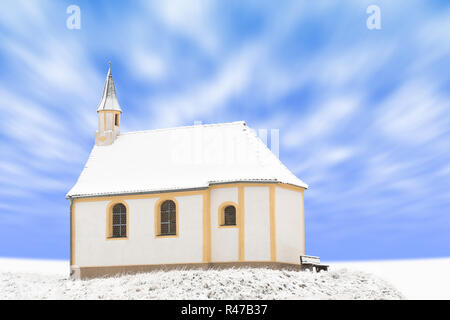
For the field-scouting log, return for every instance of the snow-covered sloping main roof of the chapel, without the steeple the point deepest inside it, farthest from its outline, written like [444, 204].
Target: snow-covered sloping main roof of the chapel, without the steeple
[178, 159]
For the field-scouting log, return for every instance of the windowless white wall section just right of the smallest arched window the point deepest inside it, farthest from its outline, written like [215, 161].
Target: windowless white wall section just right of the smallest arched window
[257, 223]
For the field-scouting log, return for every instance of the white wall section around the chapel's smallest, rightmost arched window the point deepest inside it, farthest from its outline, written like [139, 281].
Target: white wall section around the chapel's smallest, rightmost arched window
[224, 241]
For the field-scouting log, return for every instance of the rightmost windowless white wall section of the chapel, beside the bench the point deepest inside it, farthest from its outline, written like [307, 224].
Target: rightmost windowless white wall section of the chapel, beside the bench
[289, 225]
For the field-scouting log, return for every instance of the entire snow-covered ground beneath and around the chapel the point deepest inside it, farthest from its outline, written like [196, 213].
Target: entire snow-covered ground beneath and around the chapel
[415, 279]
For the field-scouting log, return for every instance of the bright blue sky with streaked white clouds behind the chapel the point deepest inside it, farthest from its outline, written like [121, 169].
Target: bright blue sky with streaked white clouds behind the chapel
[364, 115]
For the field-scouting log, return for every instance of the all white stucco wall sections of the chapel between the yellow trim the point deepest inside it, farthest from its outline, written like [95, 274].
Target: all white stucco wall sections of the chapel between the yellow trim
[92, 248]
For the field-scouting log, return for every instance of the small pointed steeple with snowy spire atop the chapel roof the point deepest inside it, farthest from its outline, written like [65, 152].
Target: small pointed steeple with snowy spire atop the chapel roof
[109, 112]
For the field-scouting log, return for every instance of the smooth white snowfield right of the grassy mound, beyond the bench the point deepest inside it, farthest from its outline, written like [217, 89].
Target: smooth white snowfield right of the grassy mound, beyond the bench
[415, 278]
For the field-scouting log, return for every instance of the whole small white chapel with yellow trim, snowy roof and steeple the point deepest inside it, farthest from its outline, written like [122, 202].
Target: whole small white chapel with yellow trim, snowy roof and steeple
[210, 195]
